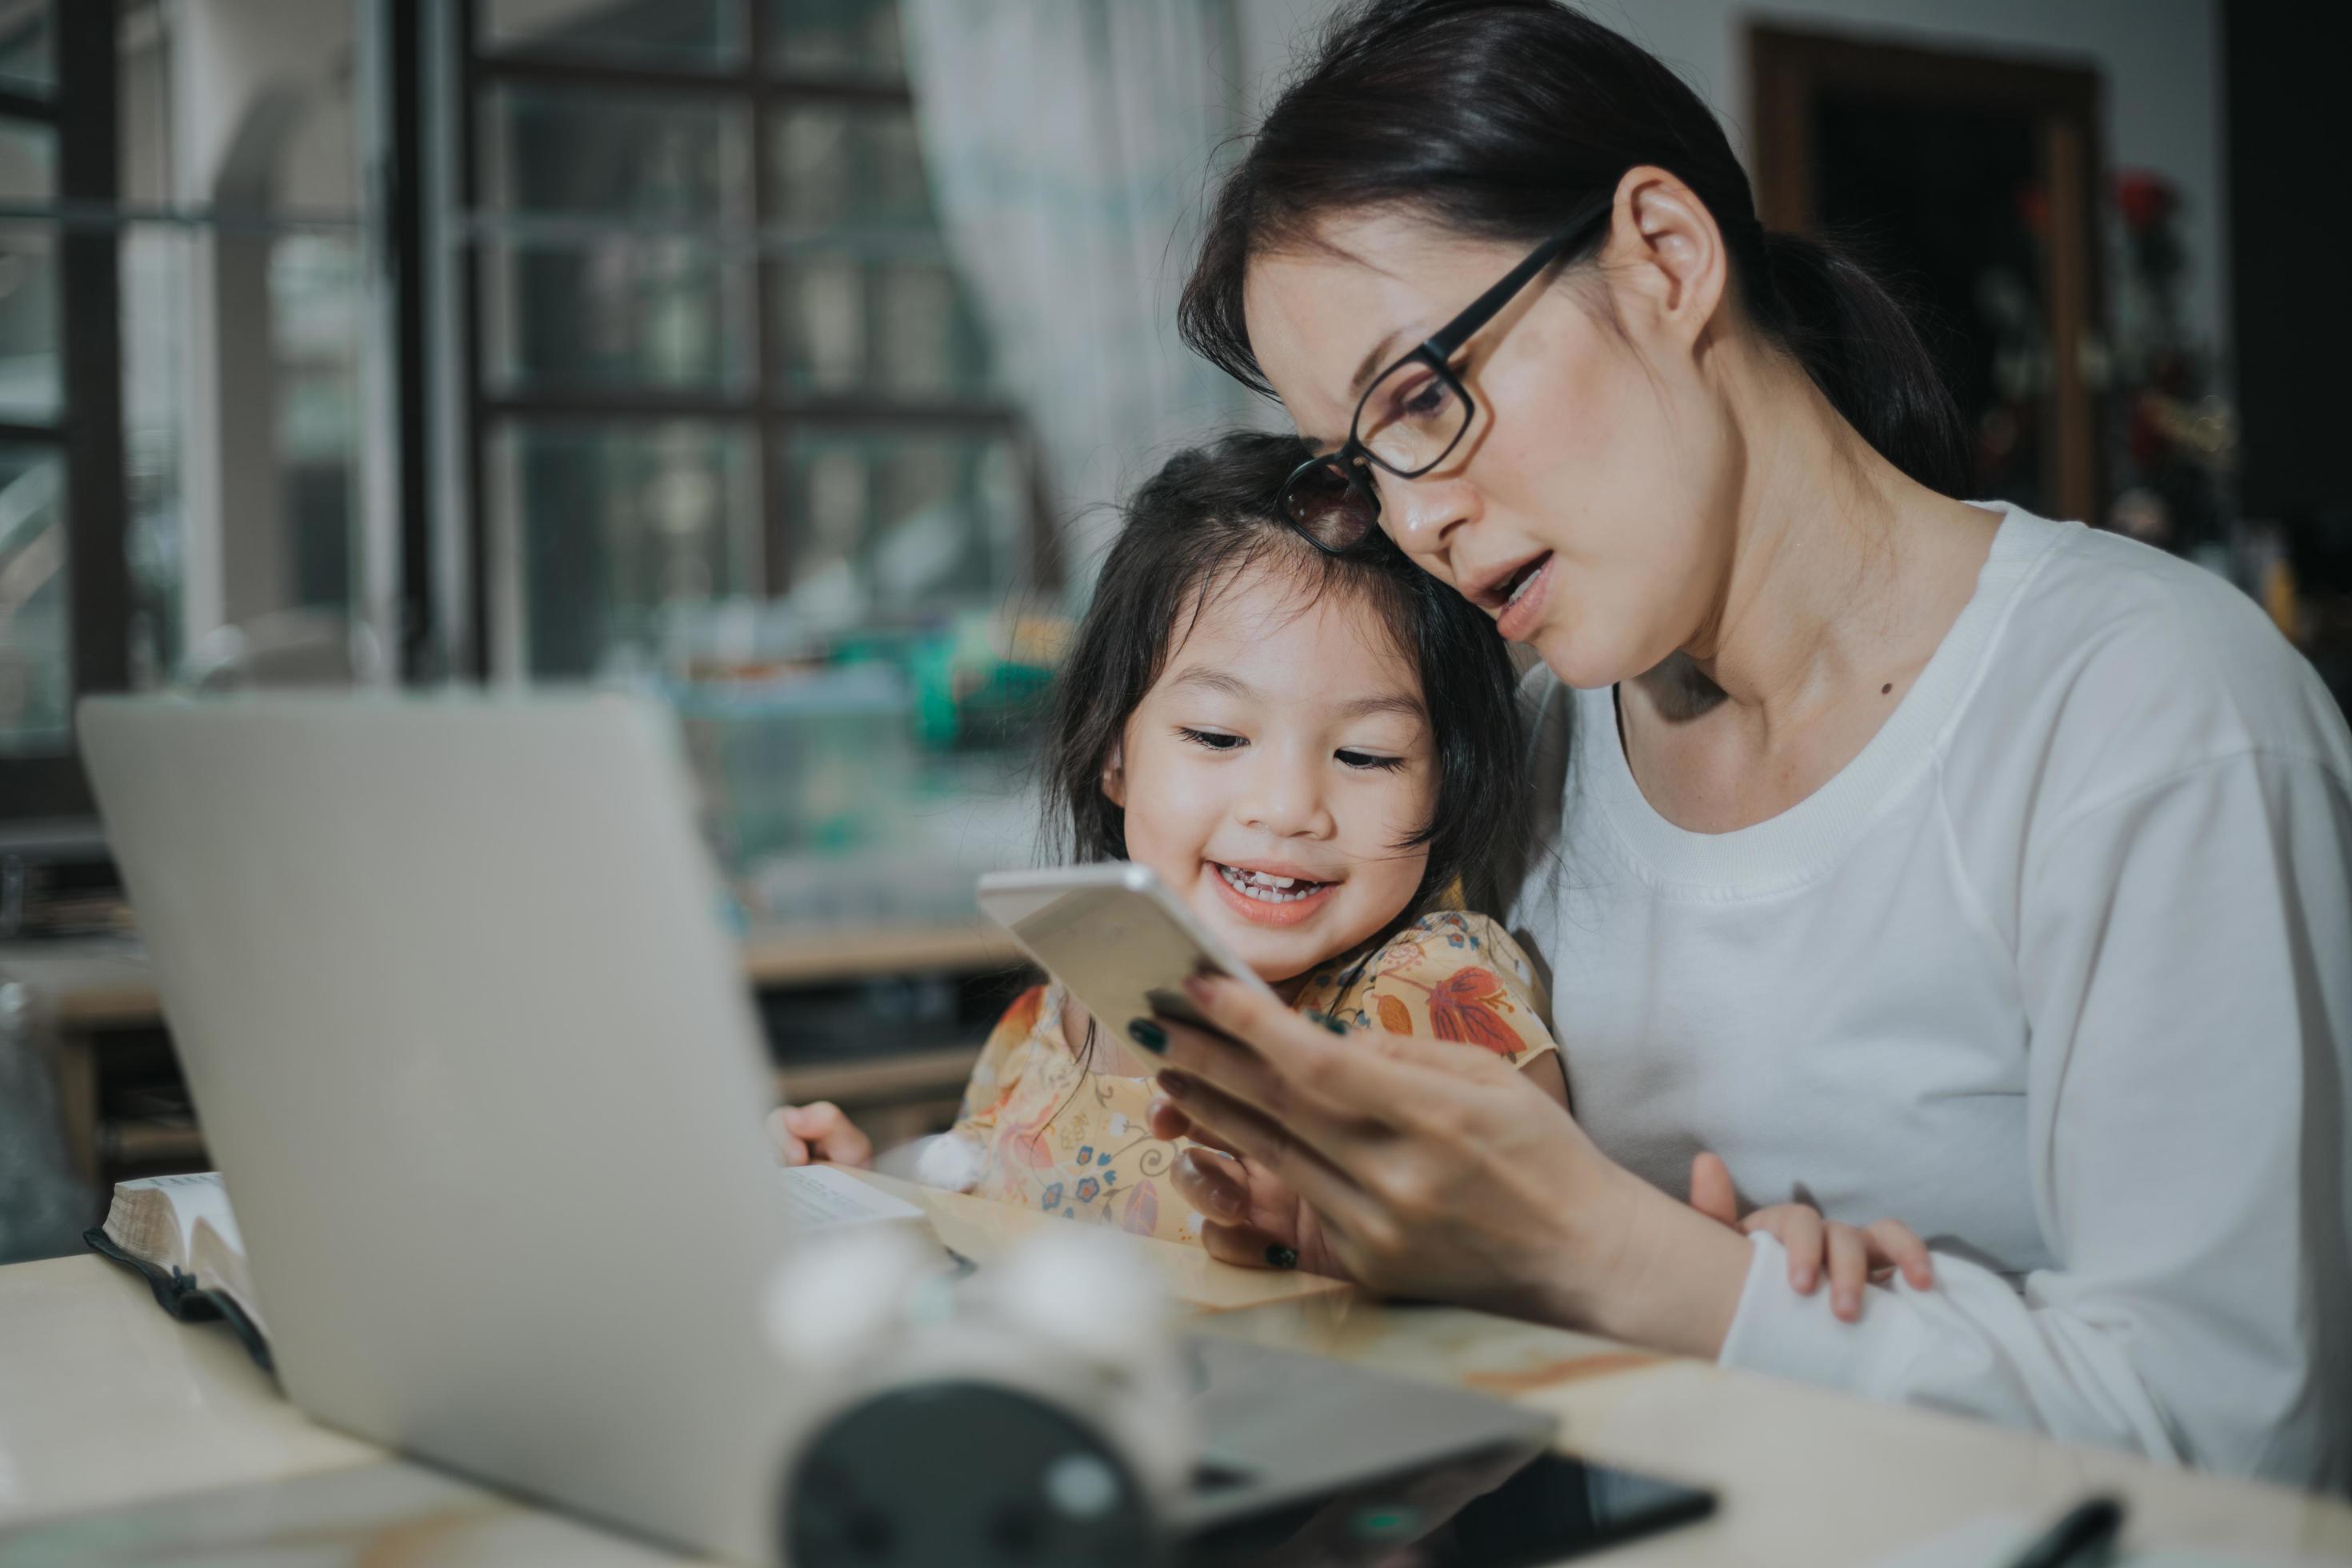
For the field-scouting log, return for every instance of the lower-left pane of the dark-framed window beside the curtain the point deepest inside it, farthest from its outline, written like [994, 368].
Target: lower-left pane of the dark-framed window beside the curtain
[617, 525]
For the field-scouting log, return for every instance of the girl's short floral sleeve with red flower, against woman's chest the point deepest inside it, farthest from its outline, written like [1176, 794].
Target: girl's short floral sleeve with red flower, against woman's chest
[1455, 977]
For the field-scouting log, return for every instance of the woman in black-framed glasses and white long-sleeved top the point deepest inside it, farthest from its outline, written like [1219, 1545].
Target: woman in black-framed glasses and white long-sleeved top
[1925, 859]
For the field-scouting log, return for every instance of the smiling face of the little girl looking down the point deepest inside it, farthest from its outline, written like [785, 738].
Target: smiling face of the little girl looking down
[1276, 768]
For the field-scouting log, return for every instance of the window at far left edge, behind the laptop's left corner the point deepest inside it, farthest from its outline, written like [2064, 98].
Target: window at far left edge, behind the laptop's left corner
[185, 311]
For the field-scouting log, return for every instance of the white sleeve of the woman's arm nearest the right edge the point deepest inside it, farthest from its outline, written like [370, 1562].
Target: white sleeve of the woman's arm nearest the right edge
[2186, 970]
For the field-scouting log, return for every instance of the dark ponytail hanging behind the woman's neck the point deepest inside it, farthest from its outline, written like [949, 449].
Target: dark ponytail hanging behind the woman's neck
[1864, 354]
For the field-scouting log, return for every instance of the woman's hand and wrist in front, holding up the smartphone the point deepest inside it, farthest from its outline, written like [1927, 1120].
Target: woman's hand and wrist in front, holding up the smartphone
[1438, 1170]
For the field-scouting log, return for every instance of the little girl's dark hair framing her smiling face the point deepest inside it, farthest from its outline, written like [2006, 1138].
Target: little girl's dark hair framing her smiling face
[1194, 528]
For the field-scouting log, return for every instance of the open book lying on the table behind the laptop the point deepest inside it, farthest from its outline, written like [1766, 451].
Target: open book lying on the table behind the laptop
[182, 1238]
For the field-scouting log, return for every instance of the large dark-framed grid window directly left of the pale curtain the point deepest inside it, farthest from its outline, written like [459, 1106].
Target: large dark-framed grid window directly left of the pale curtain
[716, 344]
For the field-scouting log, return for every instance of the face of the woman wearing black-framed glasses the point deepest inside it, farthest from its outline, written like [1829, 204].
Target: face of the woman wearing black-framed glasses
[1598, 476]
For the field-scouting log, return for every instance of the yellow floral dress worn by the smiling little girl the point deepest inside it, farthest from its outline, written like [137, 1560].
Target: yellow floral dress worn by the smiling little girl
[1048, 1134]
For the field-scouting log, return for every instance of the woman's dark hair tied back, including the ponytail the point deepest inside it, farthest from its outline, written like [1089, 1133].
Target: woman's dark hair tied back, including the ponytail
[1495, 119]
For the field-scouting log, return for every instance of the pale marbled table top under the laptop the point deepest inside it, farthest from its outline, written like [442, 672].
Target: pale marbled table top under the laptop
[121, 1428]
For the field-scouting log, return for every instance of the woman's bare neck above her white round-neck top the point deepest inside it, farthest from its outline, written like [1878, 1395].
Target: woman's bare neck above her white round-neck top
[1838, 584]
